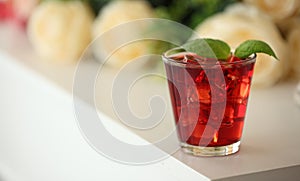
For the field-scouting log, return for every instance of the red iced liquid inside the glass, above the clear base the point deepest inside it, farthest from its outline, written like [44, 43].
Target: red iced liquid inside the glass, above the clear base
[196, 101]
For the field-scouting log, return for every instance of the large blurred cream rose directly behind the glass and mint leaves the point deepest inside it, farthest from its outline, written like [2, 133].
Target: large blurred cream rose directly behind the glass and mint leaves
[235, 26]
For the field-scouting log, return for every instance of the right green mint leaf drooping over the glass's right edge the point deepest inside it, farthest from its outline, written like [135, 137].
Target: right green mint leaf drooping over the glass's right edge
[249, 47]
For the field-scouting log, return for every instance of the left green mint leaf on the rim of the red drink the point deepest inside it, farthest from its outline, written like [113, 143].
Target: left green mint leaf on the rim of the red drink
[209, 48]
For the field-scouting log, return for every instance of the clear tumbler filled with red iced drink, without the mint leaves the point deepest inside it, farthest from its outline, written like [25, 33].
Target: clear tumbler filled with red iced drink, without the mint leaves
[209, 99]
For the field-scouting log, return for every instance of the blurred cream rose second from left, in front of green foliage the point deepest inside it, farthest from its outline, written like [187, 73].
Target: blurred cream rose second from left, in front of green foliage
[112, 15]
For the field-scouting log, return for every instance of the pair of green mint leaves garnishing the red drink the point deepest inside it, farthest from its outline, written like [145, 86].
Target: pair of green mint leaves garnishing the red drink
[213, 48]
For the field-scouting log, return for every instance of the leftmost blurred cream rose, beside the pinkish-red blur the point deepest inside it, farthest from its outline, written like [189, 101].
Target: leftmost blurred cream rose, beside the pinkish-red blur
[60, 31]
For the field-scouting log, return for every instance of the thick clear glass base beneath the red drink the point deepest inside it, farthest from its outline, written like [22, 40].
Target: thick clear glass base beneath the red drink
[211, 151]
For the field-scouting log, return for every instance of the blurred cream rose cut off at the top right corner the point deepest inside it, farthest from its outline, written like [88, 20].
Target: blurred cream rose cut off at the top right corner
[277, 9]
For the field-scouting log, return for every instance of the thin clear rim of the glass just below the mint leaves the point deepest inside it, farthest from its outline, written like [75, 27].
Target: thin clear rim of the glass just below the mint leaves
[167, 58]
